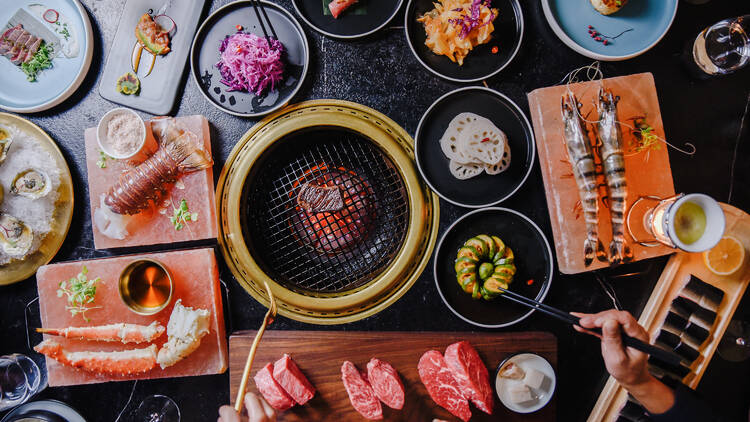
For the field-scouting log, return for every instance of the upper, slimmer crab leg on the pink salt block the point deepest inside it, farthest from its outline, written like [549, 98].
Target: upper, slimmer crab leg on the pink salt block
[120, 332]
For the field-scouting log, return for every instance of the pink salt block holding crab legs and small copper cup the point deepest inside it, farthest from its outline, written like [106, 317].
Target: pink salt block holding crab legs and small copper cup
[196, 281]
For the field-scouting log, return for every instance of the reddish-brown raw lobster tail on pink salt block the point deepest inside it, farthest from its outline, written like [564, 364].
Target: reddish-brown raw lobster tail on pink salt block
[180, 151]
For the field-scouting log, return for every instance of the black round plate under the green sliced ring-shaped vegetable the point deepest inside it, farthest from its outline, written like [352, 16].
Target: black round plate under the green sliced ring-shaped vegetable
[533, 259]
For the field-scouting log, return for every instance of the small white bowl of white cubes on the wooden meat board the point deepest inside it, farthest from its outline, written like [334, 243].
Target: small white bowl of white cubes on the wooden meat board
[543, 395]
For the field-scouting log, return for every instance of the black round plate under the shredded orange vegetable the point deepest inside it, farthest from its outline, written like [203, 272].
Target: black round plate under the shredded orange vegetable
[480, 63]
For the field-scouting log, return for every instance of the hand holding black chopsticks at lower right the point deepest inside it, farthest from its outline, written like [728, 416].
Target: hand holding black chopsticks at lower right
[627, 365]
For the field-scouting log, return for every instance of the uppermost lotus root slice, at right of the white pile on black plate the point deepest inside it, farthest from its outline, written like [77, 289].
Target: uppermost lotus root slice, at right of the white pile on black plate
[483, 141]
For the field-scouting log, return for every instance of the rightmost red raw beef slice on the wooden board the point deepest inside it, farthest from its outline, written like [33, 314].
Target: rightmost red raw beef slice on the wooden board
[470, 374]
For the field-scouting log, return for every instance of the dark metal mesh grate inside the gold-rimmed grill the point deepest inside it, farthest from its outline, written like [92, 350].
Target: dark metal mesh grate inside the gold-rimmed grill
[287, 253]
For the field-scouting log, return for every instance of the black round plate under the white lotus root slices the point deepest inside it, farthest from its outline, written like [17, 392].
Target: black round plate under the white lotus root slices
[482, 190]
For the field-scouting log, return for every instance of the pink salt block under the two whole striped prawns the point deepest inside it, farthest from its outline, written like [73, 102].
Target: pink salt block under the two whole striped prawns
[646, 173]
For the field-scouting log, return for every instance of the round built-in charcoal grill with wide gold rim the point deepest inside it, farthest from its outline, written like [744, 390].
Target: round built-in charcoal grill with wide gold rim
[340, 264]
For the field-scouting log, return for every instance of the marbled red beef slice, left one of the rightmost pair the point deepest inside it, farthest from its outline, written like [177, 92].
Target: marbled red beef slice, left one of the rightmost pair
[442, 387]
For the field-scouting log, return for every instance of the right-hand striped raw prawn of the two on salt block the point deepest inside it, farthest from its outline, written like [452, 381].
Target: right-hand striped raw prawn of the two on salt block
[613, 163]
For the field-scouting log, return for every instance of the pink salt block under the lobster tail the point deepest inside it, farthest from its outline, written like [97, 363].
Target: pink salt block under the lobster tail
[152, 226]
